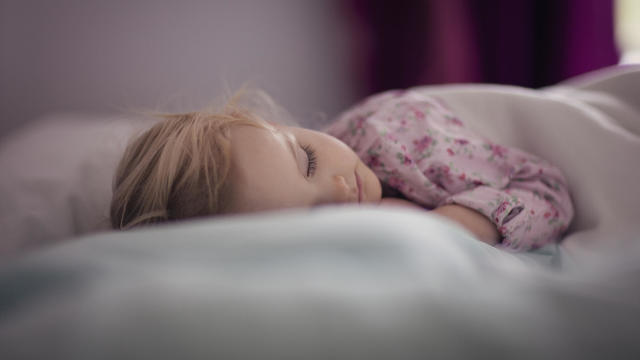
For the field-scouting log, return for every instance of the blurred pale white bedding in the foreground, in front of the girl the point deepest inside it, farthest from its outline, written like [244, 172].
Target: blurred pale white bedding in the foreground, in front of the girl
[338, 283]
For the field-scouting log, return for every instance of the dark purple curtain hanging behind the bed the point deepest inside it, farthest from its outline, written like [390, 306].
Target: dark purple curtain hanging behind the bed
[530, 43]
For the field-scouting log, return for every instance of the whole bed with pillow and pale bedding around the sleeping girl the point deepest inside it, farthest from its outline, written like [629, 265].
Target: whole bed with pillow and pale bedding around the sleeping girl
[335, 282]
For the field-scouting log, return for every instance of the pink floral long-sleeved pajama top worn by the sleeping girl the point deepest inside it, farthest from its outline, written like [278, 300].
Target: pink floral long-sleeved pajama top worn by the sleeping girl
[421, 151]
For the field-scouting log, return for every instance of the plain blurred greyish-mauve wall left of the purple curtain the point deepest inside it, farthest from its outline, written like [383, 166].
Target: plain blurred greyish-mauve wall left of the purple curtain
[104, 56]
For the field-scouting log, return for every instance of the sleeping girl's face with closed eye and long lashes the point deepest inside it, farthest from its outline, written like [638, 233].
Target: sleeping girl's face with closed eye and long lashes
[285, 167]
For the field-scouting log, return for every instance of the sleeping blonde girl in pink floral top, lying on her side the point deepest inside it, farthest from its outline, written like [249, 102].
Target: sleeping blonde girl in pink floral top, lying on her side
[397, 148]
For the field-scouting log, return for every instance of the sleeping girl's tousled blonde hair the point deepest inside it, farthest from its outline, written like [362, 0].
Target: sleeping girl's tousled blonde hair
[179, 168]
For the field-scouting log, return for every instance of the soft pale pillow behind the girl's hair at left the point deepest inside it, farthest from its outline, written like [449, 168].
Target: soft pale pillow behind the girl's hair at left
[56, 178]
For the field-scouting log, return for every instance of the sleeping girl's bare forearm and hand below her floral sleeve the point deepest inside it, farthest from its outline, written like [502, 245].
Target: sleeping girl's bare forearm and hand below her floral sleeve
[473, 221]
